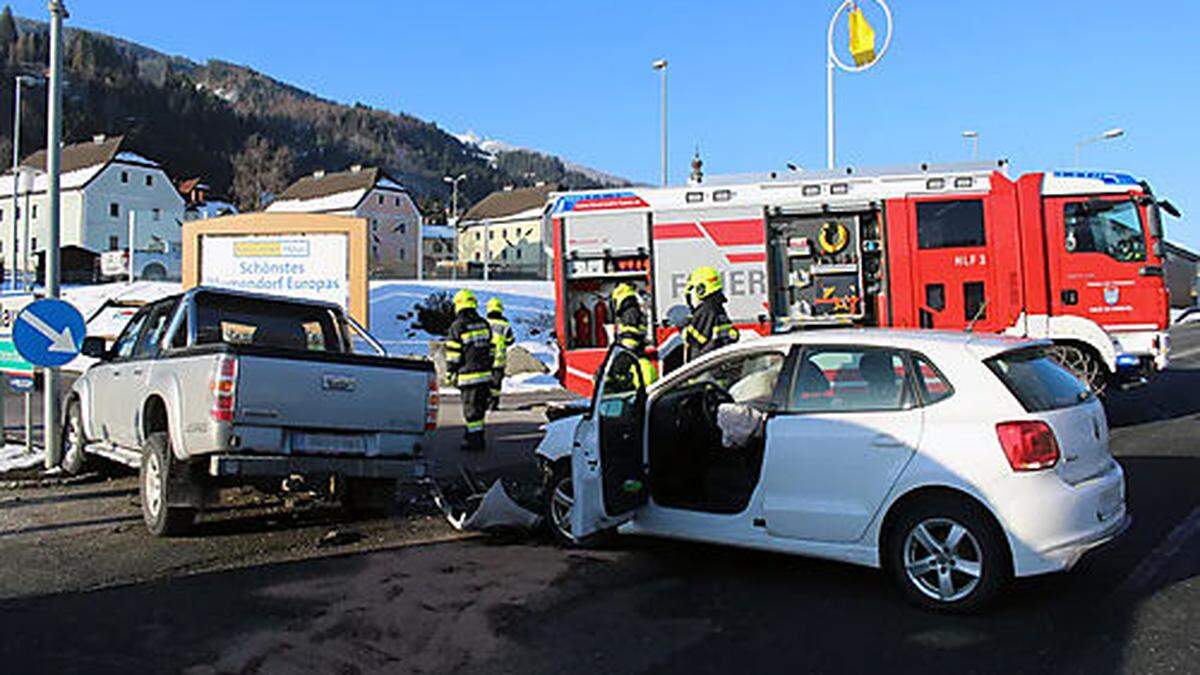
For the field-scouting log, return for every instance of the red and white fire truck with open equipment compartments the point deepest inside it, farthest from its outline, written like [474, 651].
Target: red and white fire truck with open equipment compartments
[1071, 256]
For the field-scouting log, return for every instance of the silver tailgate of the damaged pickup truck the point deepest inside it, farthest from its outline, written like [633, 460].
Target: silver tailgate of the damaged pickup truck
[343, 393]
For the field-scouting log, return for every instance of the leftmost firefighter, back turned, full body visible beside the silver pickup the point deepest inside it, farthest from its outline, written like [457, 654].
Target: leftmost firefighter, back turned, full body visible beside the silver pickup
[470, 359]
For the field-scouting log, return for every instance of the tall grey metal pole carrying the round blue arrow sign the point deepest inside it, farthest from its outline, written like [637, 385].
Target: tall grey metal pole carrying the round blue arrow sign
[53, 158]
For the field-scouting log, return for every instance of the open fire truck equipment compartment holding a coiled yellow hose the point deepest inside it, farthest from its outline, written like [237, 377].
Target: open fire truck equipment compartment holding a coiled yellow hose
[825, 270]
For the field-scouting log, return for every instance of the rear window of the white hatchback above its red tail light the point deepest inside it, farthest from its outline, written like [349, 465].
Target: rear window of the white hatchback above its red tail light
[1039, 381]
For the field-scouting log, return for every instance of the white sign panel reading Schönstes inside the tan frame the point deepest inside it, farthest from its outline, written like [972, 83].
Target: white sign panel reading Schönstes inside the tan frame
[299, 266]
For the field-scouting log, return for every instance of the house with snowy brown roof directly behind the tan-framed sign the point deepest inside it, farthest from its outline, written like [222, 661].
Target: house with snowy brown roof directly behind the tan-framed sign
[369, 194]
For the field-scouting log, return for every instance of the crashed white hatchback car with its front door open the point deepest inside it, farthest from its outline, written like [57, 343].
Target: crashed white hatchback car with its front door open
[955, 462]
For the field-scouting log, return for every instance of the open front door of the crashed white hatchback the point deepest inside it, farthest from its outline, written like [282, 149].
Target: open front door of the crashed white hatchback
[608, 463]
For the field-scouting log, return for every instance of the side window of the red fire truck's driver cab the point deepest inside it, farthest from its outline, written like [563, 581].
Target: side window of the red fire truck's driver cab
[1113, 229]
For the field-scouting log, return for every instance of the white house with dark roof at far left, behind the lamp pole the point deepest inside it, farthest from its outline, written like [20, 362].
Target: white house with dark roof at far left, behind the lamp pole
[101, 184]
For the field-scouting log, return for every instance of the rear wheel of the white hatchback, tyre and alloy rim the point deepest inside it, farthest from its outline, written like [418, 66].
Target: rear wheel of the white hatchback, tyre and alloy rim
[947, 554]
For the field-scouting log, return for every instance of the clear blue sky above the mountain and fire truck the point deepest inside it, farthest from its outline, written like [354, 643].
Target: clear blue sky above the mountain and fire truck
[747, 80]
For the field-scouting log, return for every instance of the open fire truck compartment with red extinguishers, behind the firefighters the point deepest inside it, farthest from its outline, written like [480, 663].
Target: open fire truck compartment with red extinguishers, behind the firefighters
[604, 250]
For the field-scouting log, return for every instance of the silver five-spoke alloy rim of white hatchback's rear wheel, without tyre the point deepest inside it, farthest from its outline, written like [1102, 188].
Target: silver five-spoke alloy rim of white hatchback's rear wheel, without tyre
[943, 559]
